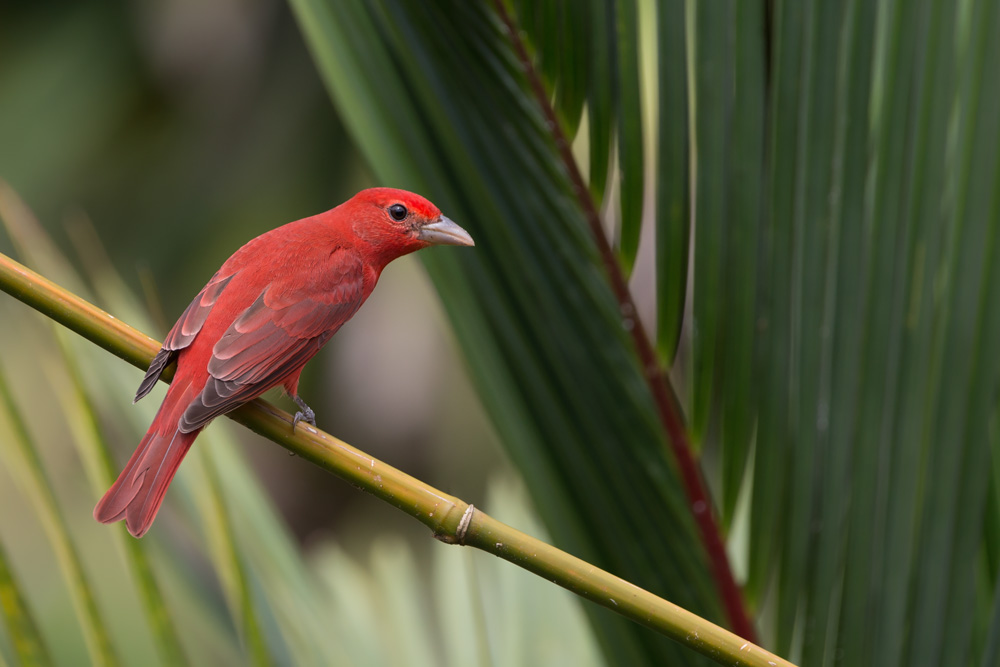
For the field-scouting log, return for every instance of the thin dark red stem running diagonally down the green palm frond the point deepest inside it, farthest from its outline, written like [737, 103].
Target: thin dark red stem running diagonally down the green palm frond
[667, 406]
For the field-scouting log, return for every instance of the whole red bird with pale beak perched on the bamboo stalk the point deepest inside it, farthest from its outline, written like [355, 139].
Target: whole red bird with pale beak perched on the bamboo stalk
[262, 316]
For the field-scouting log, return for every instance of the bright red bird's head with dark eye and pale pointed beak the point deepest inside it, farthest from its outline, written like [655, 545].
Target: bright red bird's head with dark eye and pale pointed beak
[396, 222]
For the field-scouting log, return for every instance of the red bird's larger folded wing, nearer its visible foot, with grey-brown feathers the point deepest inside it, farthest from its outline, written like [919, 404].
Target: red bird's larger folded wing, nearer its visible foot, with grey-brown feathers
[284, 327]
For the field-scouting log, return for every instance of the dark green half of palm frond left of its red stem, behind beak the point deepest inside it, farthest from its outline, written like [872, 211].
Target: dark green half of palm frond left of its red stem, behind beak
[531, 307]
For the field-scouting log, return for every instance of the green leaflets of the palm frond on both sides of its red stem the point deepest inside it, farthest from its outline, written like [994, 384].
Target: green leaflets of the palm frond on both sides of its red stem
[839, 162]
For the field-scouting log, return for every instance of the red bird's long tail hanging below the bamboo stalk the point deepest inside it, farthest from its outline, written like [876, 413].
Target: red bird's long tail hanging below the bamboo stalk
[138, 492]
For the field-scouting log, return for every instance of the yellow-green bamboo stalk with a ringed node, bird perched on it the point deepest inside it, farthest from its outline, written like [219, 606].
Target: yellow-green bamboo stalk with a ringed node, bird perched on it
[452, 520]
